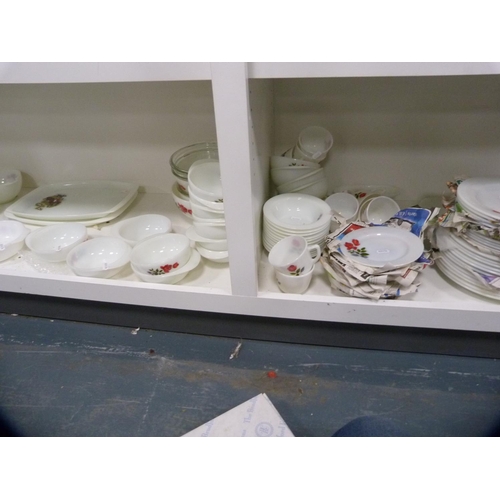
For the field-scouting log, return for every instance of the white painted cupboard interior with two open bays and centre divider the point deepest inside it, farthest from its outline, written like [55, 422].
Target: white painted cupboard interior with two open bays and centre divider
[411, 125]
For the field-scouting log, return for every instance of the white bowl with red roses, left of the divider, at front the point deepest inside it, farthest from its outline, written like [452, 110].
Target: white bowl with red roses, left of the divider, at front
[161, 254]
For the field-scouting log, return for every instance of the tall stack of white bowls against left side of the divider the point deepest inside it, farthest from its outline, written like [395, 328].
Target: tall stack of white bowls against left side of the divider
[207, 205]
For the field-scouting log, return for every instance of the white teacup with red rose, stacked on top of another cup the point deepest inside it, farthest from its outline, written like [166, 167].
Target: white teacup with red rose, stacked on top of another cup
[292, 256]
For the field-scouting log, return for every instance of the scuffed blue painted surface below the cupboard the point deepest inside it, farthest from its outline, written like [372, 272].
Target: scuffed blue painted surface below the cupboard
[62, 378]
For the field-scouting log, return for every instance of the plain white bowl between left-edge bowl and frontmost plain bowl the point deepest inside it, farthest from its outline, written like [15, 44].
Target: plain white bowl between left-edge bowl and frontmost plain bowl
[53, 243]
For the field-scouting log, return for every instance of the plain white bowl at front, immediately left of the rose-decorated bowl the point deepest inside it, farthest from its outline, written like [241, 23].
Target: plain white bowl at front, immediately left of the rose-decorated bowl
[100, 257]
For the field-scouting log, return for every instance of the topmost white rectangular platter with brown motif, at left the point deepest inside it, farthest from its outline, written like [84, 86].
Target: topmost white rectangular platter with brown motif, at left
[74, 201]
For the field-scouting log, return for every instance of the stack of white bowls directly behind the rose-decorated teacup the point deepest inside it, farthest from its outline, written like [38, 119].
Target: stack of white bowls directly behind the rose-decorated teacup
[295, 214]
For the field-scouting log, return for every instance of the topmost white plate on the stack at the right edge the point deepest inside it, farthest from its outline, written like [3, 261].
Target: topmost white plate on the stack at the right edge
[482, 195]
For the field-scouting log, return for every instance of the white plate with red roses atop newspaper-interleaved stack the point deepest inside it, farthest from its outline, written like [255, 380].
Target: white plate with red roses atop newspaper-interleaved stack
[381, 246]
